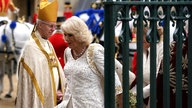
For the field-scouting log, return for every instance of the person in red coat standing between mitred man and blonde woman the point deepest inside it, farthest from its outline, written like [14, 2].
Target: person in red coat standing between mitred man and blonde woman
[58, 41]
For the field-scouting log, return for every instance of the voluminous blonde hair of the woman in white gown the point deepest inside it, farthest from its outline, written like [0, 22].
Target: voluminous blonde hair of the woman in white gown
[76, 26]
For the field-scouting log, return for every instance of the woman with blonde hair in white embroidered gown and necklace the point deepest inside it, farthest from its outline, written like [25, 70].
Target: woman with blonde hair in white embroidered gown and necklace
[85, 87]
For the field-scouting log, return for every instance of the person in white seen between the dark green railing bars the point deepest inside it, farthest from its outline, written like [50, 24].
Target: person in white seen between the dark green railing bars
[146, 62]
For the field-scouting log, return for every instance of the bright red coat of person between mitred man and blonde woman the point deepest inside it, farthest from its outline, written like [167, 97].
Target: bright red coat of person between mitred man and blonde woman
[59, 45]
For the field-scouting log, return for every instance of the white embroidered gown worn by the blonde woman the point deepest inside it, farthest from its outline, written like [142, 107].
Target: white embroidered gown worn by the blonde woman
[84, 85]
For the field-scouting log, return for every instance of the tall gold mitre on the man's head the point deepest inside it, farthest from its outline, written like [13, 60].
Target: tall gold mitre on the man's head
[48, 10]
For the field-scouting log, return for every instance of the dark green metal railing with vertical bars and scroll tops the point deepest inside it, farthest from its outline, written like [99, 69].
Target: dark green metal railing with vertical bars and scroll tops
[175, 11]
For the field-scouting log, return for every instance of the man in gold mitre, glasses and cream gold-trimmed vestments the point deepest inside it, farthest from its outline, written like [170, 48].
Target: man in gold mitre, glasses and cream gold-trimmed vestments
[40, 75]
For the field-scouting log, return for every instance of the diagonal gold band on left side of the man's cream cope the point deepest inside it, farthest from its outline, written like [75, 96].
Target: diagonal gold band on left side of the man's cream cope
[32, 76]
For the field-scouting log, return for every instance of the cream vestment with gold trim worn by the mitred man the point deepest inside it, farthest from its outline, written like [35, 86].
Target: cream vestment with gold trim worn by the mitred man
[39, 75]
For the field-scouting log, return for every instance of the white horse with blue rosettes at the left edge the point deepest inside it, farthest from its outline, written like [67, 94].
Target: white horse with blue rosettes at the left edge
[11, 44]
